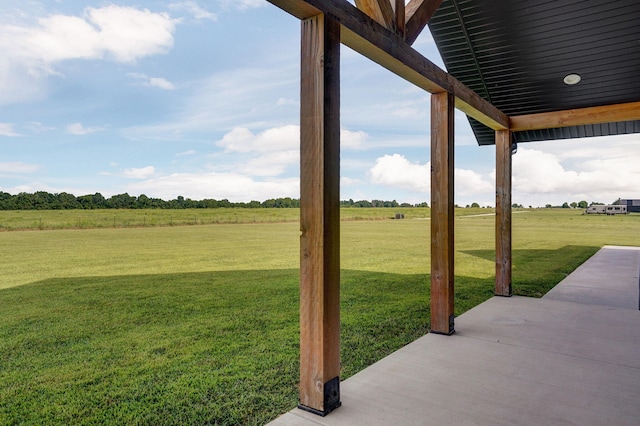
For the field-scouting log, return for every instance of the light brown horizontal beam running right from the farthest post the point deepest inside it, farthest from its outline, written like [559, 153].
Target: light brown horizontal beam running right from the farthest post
[577, 117]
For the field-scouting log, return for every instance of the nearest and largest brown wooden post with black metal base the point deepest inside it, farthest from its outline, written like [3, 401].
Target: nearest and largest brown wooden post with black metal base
[320, 215]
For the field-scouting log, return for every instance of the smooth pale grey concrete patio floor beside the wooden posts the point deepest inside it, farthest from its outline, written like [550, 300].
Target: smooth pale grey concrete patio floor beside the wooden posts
[512, 361]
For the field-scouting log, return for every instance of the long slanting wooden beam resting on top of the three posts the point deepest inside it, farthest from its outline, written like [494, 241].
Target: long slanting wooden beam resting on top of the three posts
[364, 35]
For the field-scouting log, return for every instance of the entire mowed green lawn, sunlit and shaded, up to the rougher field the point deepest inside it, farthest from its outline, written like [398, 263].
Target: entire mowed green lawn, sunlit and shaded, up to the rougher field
[199, 324]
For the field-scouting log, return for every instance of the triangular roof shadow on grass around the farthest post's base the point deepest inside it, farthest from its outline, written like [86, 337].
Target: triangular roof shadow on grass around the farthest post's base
[535, 272]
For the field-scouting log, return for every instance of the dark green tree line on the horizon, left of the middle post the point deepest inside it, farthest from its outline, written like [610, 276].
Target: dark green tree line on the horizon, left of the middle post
[42, 200]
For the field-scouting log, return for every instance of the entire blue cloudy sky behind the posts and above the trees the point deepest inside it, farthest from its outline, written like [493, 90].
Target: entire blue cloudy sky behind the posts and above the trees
[201, 99]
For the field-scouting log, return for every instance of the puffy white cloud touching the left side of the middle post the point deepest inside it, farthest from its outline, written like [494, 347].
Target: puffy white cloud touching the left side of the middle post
[398, 172]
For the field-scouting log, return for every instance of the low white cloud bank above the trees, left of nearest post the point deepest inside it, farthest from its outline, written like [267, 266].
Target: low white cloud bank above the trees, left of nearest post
[232, 186]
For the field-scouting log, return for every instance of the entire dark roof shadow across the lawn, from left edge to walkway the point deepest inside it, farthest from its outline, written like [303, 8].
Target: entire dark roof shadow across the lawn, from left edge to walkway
[209, 347]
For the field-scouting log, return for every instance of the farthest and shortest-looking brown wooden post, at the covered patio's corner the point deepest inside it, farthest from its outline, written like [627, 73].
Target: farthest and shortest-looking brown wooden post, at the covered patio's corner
[503, 213]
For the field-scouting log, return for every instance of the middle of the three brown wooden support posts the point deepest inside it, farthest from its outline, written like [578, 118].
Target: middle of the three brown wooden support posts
[442, 254]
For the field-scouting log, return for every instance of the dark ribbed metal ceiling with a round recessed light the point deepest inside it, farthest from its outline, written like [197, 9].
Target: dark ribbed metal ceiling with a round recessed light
[516, 53]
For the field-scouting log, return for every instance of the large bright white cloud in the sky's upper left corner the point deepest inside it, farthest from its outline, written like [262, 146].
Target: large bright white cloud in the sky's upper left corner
[31, 52]
